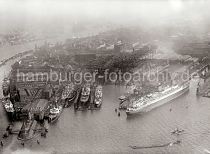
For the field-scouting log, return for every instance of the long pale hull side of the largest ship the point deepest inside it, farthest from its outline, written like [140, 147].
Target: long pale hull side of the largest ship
[159, 103]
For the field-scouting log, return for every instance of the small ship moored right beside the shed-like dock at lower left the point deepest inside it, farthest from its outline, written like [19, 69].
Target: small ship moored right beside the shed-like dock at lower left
[55, 113]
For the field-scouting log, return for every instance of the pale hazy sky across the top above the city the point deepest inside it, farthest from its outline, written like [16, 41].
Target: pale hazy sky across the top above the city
[32, 12]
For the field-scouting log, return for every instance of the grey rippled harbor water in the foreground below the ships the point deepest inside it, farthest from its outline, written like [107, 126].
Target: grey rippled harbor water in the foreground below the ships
[102, 131]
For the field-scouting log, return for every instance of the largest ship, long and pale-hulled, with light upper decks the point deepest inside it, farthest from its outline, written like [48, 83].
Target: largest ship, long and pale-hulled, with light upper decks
[146, 103]
